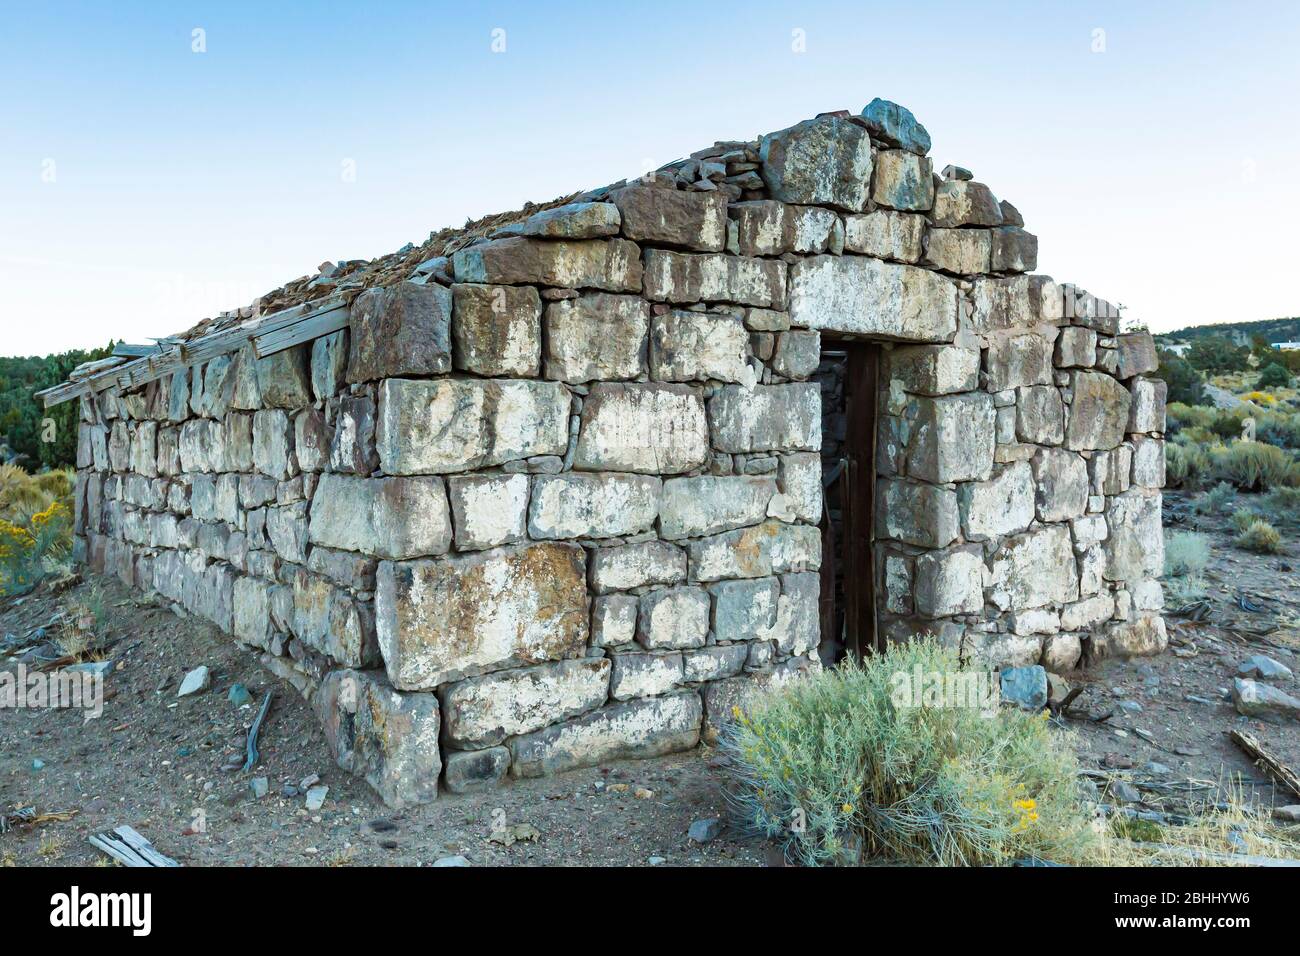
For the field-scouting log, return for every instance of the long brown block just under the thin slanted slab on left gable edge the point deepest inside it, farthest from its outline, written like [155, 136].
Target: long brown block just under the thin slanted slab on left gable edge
[609, 265]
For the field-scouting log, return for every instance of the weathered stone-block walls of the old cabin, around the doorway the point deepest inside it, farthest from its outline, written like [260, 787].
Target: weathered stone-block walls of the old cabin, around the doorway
[554, 500]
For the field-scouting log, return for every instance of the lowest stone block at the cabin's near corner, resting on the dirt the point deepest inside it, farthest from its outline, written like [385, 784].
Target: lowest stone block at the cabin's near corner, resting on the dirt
[388, 738]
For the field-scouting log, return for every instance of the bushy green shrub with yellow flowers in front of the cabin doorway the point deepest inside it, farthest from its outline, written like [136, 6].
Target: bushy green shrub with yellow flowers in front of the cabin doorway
[840, 768]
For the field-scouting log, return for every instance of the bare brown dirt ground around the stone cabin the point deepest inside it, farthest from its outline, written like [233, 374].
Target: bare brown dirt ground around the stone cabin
[158, 763]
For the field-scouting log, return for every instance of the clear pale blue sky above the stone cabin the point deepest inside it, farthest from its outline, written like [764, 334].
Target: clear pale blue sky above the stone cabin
[145, 187]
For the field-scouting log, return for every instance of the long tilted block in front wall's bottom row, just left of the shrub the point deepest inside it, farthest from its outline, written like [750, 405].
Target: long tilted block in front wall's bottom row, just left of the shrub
[636, 729]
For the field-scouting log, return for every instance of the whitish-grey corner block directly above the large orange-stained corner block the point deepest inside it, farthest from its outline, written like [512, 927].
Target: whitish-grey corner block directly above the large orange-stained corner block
[393, 518]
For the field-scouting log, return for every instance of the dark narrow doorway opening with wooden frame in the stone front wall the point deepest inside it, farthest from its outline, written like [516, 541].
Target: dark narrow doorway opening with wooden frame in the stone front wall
[848, 377]
